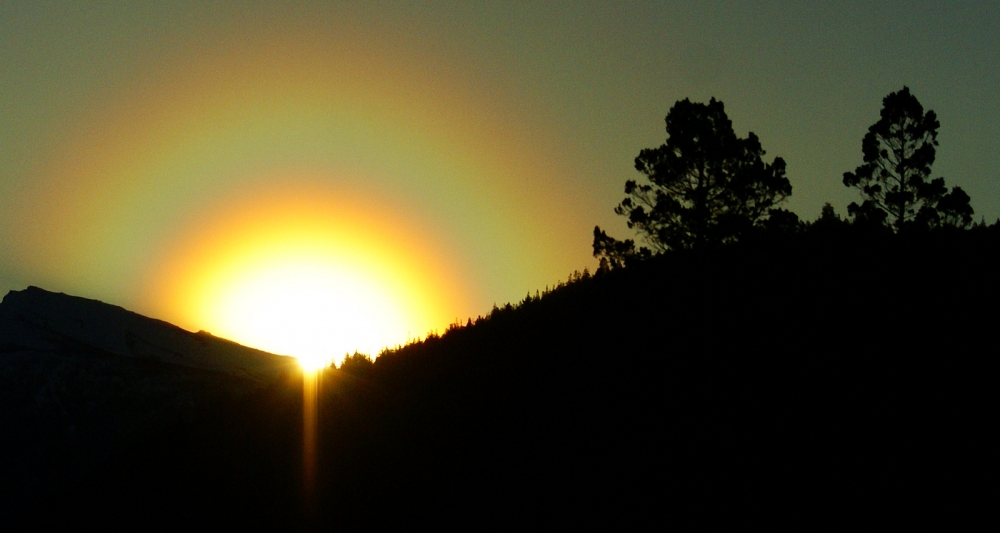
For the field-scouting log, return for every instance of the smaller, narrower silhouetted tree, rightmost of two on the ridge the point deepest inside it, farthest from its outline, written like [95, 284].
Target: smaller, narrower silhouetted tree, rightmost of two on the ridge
[894, 181]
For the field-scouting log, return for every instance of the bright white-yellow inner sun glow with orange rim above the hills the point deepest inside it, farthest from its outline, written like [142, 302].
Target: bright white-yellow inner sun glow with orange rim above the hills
[311, 275]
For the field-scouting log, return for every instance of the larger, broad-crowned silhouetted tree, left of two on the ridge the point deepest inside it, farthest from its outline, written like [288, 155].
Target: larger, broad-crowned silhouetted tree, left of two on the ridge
[705, 185]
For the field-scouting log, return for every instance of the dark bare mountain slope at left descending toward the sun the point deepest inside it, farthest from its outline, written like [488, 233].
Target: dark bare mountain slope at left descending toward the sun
[81, 381]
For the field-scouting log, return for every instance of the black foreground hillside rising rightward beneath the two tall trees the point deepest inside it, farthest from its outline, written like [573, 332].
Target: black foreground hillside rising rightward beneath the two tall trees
[793, 383]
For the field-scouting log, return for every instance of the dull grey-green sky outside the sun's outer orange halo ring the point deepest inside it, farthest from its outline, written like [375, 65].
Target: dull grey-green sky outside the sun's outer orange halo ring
[598, 77]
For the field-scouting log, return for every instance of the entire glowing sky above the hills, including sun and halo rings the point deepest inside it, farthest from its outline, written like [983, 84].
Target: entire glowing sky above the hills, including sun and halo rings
[419, 162]
